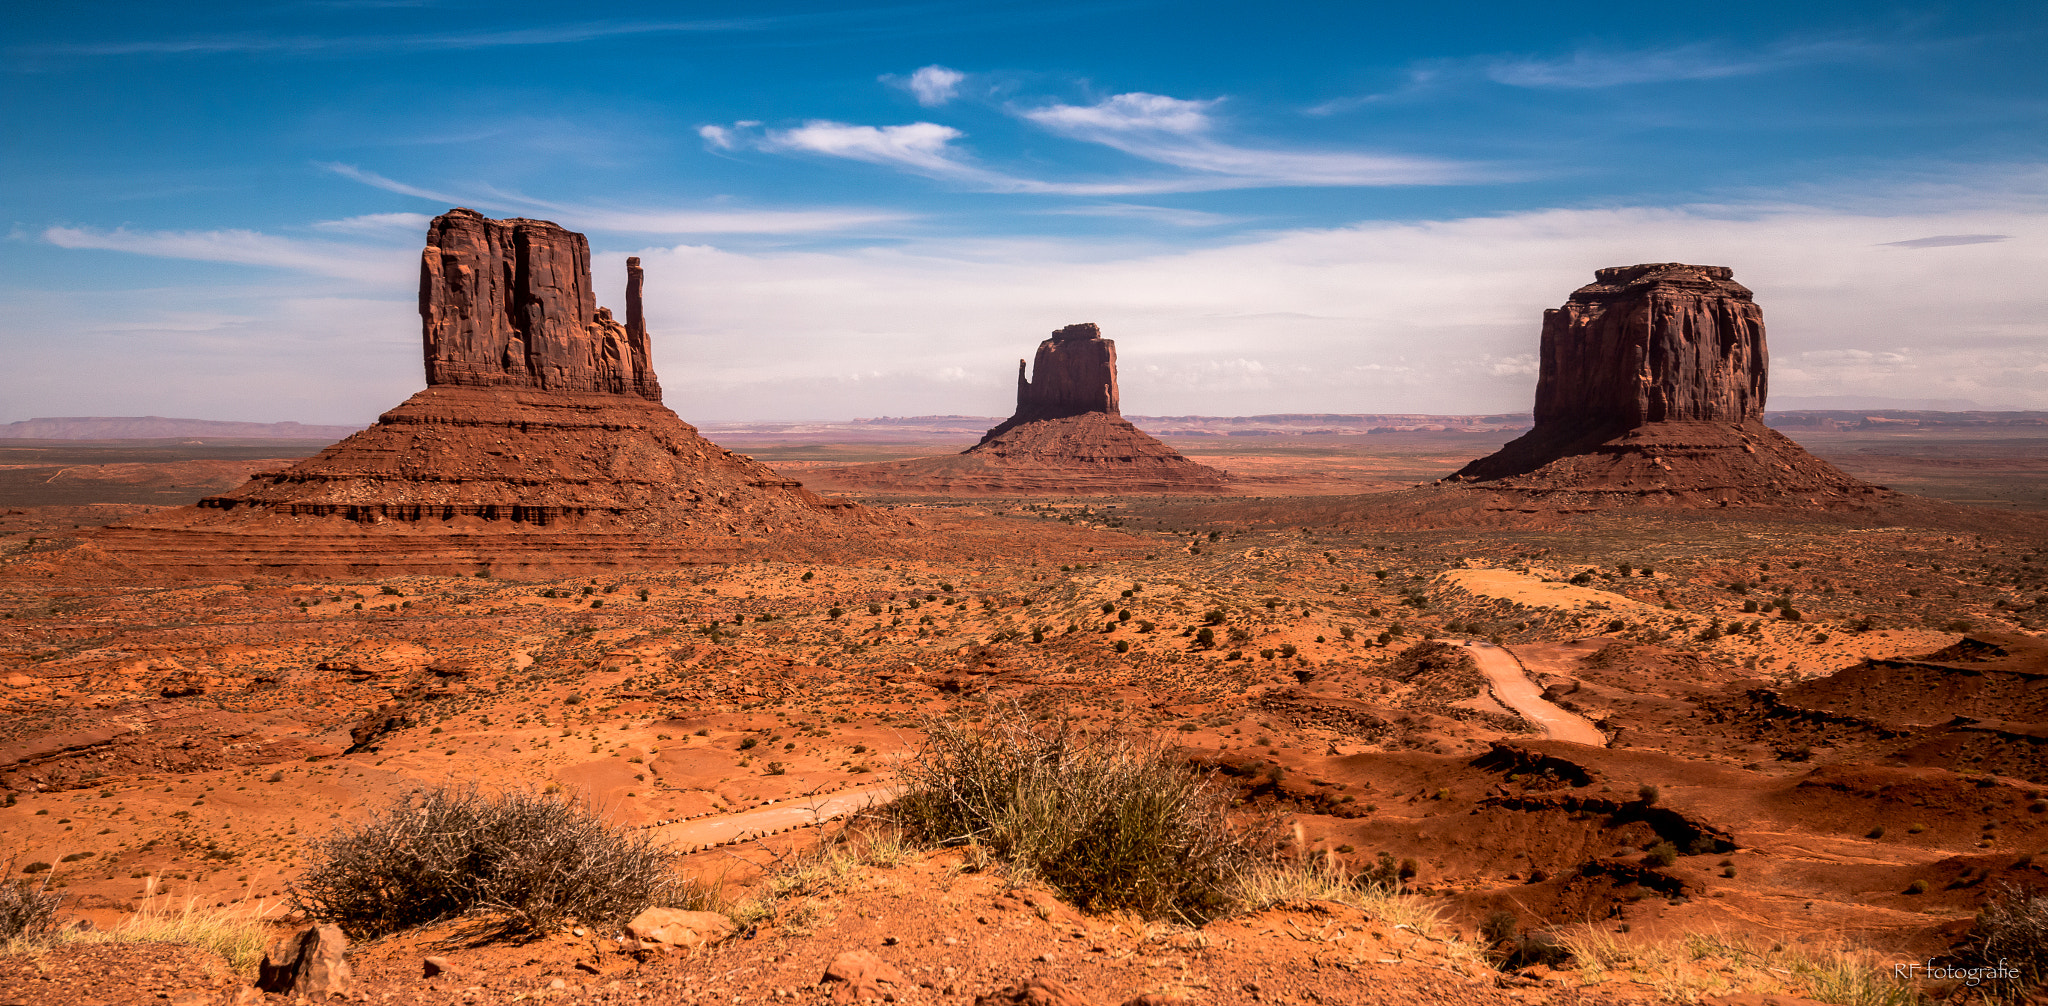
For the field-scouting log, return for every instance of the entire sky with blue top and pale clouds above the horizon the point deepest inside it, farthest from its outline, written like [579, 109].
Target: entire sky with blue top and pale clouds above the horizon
[876, 210]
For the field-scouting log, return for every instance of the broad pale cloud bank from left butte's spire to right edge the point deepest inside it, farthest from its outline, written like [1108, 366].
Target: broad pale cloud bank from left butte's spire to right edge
[1428, 317]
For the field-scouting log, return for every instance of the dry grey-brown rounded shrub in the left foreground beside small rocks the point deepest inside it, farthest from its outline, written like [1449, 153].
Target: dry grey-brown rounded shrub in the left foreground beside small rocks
[534, 862]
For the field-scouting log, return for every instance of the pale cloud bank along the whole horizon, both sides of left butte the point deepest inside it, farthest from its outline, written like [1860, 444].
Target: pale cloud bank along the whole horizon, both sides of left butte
[1422, 317]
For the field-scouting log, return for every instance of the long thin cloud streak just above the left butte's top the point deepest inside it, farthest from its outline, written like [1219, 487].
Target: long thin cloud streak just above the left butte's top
[638, 220]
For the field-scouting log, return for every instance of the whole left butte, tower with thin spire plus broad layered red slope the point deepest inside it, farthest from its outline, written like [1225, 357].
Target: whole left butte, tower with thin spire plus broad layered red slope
[540, 446]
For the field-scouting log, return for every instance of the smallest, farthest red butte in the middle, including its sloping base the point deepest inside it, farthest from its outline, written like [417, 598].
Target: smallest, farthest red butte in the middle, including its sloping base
[1066, 437]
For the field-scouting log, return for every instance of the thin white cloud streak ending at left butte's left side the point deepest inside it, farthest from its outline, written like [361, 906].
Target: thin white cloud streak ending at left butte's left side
[249, 249]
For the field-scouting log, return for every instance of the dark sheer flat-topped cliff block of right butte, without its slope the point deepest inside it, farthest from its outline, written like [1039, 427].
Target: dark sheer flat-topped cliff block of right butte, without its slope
[1654, 343]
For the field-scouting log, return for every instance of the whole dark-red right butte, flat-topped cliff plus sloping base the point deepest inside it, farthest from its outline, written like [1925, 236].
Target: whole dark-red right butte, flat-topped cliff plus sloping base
[1652, 392]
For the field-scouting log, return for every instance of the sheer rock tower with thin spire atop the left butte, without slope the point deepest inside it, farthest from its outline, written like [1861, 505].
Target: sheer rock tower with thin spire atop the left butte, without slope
[509, 304]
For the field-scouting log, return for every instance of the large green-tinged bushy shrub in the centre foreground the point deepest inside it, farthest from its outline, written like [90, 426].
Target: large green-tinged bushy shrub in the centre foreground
[1109, 821]
